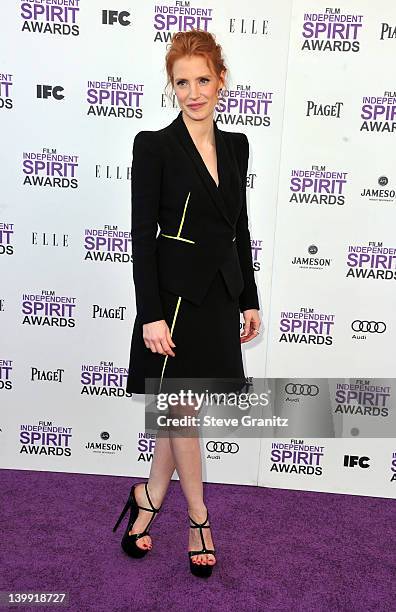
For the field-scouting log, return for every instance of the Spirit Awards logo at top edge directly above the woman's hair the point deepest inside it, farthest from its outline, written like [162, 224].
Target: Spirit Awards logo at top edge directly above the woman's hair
[180, 17]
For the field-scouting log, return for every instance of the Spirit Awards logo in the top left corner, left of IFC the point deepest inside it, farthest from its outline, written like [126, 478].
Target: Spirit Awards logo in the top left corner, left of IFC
[58, 17]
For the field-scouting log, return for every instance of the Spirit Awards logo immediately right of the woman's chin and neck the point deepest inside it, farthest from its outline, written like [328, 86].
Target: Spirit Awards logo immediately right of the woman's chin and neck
[245, 106]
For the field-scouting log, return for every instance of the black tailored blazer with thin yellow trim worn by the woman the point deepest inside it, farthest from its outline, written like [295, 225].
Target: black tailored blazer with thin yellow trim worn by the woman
[202, 227]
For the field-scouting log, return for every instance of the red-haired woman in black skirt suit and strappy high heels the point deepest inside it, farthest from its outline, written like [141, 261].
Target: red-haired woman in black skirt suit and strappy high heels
[193, 279]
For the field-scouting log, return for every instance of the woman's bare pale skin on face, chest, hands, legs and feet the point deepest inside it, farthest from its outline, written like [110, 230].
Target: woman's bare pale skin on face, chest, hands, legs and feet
[193, 82]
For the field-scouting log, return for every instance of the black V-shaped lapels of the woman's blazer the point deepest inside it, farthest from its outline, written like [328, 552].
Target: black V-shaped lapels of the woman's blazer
[220, 195]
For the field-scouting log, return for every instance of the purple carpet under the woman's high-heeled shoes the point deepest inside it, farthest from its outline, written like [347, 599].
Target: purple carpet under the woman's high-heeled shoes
[278, 550]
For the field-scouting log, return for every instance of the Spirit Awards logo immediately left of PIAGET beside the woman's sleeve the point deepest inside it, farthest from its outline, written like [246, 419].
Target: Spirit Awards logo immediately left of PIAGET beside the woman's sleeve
[48, 309]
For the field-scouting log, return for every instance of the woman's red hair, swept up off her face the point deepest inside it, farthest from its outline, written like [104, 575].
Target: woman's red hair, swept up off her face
[194, 42]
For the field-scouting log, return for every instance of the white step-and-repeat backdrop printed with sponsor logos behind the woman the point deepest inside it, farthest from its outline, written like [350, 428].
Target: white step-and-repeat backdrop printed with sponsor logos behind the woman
[312, 85]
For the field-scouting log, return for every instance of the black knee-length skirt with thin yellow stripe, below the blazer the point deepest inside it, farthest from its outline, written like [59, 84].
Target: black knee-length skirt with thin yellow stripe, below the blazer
[208, 347]
